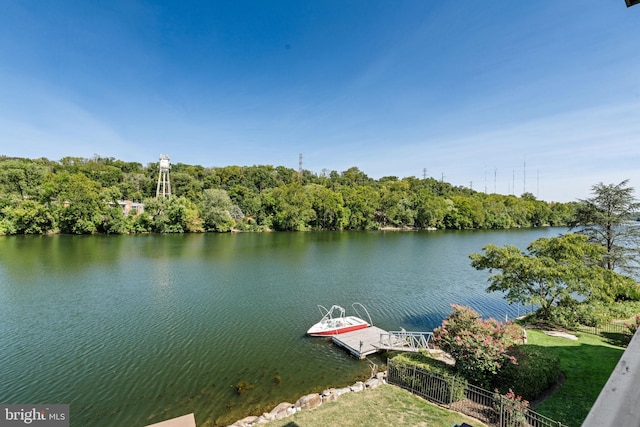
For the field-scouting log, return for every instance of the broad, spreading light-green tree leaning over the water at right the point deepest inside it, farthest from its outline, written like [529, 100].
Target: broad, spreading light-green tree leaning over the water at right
[553, 269]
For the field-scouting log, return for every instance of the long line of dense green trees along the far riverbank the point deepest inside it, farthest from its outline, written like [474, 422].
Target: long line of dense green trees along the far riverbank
[79, 196]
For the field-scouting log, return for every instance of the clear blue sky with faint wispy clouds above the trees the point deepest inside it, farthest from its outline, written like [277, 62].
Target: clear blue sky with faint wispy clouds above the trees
[507, 96]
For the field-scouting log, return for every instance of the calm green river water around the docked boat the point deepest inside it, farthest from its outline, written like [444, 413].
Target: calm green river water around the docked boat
[132, 330]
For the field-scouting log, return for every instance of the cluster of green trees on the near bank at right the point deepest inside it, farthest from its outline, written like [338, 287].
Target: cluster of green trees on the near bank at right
[587, 277]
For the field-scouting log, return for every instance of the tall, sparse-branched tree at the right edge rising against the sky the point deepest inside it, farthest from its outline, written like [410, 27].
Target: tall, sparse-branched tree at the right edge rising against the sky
[605, 219]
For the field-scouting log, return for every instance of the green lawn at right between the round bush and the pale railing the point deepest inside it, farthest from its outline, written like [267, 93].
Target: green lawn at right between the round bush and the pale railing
[586, 364]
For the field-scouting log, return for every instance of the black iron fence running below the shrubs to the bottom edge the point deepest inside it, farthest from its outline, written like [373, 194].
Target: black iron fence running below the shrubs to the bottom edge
[456, 394]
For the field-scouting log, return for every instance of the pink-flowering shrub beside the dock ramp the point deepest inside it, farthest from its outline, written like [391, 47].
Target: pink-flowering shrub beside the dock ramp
[478, 346]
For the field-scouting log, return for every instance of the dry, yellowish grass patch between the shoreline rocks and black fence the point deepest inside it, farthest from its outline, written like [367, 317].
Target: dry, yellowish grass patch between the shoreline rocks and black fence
[386, 405]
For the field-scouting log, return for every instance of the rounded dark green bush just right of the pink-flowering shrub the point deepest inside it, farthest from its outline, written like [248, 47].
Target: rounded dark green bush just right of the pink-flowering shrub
[537, 369]
